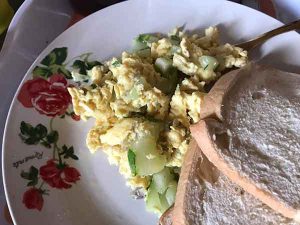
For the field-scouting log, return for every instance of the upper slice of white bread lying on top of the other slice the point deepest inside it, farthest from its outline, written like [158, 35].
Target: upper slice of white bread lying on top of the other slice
[254, 138]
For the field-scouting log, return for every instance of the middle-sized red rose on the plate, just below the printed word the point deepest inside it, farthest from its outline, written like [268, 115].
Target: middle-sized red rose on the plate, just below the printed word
[59, 176]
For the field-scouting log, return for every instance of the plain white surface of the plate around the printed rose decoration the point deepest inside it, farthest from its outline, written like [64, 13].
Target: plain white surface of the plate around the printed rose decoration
[100, 196]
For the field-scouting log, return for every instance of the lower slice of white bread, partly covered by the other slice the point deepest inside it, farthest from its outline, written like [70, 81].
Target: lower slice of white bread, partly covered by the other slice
[206, 197]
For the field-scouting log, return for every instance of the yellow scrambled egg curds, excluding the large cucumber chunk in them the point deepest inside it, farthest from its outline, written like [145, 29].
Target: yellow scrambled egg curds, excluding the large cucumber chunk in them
[127, 92]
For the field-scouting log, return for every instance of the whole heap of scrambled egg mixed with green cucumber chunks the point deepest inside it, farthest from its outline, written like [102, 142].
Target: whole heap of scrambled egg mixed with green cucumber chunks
[144, 102]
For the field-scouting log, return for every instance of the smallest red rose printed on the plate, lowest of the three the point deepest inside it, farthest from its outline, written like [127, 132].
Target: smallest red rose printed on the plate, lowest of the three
[33, 199]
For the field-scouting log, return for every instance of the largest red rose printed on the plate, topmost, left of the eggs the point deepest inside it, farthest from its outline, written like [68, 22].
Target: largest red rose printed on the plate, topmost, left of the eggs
[49, 97]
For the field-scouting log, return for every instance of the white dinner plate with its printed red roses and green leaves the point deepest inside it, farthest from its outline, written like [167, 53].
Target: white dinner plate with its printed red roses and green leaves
[50, 176]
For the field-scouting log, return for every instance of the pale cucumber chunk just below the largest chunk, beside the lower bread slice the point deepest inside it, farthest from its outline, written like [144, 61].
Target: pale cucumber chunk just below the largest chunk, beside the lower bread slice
[162, 180]
